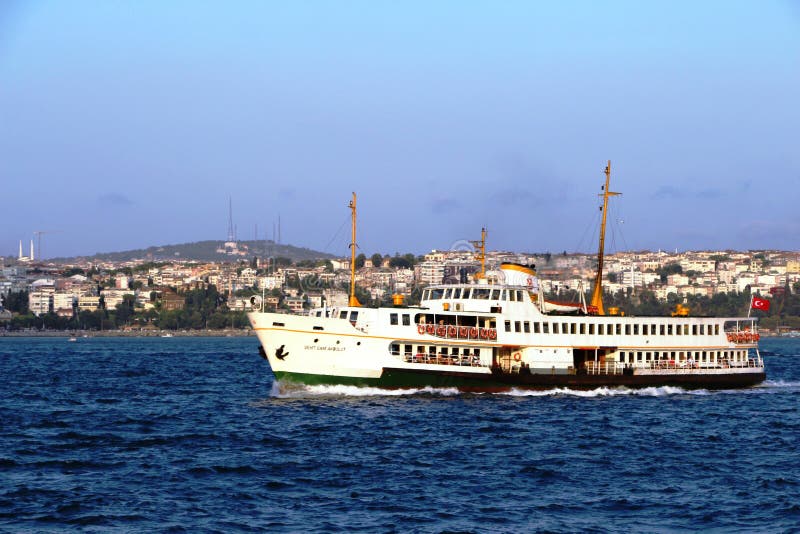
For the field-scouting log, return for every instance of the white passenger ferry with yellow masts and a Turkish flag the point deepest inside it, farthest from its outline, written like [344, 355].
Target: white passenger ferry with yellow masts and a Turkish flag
[499, 333]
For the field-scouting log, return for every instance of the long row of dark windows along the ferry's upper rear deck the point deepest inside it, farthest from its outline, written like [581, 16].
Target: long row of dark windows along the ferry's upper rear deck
[612, 329]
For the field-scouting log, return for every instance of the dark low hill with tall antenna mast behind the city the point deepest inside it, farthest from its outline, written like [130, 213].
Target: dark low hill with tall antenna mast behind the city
[208, 251]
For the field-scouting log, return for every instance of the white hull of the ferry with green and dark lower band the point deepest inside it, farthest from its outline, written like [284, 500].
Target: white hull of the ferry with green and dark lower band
[320, 350]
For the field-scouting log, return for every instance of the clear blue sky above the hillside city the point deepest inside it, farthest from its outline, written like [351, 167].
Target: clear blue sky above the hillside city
[126, 124]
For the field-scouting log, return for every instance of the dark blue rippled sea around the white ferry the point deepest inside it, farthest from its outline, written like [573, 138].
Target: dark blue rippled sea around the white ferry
[191, 434]
